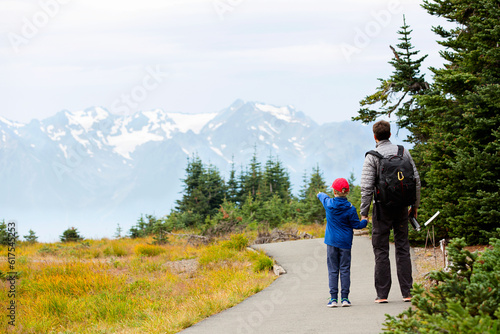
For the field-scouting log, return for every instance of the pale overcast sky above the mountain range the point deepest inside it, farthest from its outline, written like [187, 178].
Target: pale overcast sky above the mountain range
[194, 56]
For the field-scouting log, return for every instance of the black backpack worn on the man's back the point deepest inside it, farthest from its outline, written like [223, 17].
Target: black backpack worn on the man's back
[396, 184]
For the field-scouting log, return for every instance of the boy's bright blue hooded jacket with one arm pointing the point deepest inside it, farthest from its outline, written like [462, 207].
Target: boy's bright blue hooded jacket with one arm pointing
[341, 219]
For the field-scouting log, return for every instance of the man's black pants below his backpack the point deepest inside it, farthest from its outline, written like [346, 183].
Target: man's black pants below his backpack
[385, 219]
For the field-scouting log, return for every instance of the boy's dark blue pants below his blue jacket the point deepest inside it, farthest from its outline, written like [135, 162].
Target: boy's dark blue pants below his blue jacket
[339, 261]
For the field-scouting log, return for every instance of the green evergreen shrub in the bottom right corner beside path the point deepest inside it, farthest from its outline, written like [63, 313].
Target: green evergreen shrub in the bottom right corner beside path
[464, 299]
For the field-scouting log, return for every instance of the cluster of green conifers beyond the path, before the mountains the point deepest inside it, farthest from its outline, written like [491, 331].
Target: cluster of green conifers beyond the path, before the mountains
[259, 195]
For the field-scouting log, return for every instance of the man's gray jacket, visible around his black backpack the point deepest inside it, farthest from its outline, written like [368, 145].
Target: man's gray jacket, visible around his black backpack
[370, 172]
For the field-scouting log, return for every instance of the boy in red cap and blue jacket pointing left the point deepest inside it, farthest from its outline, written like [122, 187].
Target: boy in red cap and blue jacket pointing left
[341, 219]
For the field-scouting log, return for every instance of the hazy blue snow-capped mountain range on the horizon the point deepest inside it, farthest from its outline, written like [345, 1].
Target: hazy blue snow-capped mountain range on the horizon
[92, 169]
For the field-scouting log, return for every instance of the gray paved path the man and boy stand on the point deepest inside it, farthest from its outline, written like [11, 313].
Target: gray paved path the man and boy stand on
[296, 301]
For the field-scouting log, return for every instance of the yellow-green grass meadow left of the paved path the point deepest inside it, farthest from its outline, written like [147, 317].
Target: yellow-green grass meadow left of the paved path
[127, 286]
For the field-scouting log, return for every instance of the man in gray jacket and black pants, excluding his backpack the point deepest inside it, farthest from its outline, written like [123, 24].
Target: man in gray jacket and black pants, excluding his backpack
[386, 218]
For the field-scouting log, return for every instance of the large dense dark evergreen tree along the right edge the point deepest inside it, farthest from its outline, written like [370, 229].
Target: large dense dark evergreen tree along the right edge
[459, 162]
